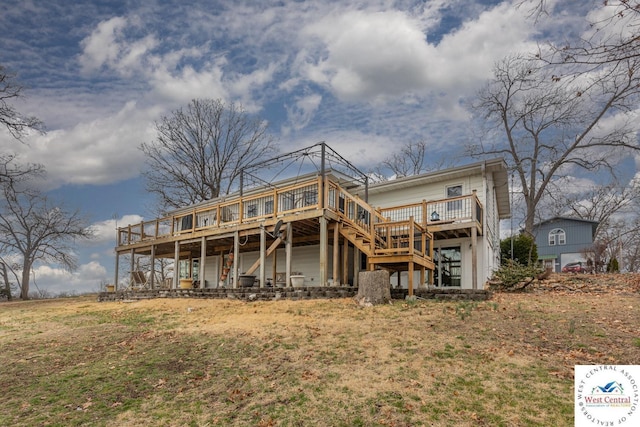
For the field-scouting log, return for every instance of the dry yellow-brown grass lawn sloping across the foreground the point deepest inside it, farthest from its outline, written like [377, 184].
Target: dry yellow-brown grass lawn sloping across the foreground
[504, 362]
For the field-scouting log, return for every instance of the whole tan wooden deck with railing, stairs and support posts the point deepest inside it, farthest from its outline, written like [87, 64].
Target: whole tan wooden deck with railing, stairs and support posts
[317, 211]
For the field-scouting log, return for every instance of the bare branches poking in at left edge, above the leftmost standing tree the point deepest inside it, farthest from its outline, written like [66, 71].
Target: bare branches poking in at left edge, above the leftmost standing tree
[16, 123]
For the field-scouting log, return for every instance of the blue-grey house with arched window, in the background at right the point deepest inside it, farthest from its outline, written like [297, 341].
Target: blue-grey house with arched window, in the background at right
[562, 240]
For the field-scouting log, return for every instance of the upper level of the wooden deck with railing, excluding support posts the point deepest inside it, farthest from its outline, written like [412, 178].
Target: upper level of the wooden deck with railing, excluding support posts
[297, 203]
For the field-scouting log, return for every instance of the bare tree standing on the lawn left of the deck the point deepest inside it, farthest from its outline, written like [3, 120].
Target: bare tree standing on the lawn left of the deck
[33, 229]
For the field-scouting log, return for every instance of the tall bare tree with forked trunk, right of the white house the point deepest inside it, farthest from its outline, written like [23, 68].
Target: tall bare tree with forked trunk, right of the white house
[552, 124]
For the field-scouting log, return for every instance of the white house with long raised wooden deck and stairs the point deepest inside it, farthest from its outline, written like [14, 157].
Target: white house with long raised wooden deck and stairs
[323, 228]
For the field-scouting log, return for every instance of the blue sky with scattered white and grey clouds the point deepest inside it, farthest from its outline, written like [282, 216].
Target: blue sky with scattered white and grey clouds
[365, 76]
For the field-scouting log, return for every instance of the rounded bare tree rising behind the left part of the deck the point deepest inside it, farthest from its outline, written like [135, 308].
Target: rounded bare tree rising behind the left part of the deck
[201, 150]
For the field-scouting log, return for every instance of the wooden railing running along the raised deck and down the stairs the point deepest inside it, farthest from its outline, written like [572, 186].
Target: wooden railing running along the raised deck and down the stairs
[275, 202]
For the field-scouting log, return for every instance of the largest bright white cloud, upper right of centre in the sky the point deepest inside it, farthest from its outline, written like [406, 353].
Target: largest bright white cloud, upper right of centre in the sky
[385, 57]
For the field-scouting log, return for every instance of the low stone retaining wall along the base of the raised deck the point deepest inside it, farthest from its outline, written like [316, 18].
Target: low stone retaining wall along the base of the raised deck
[272, 294]
